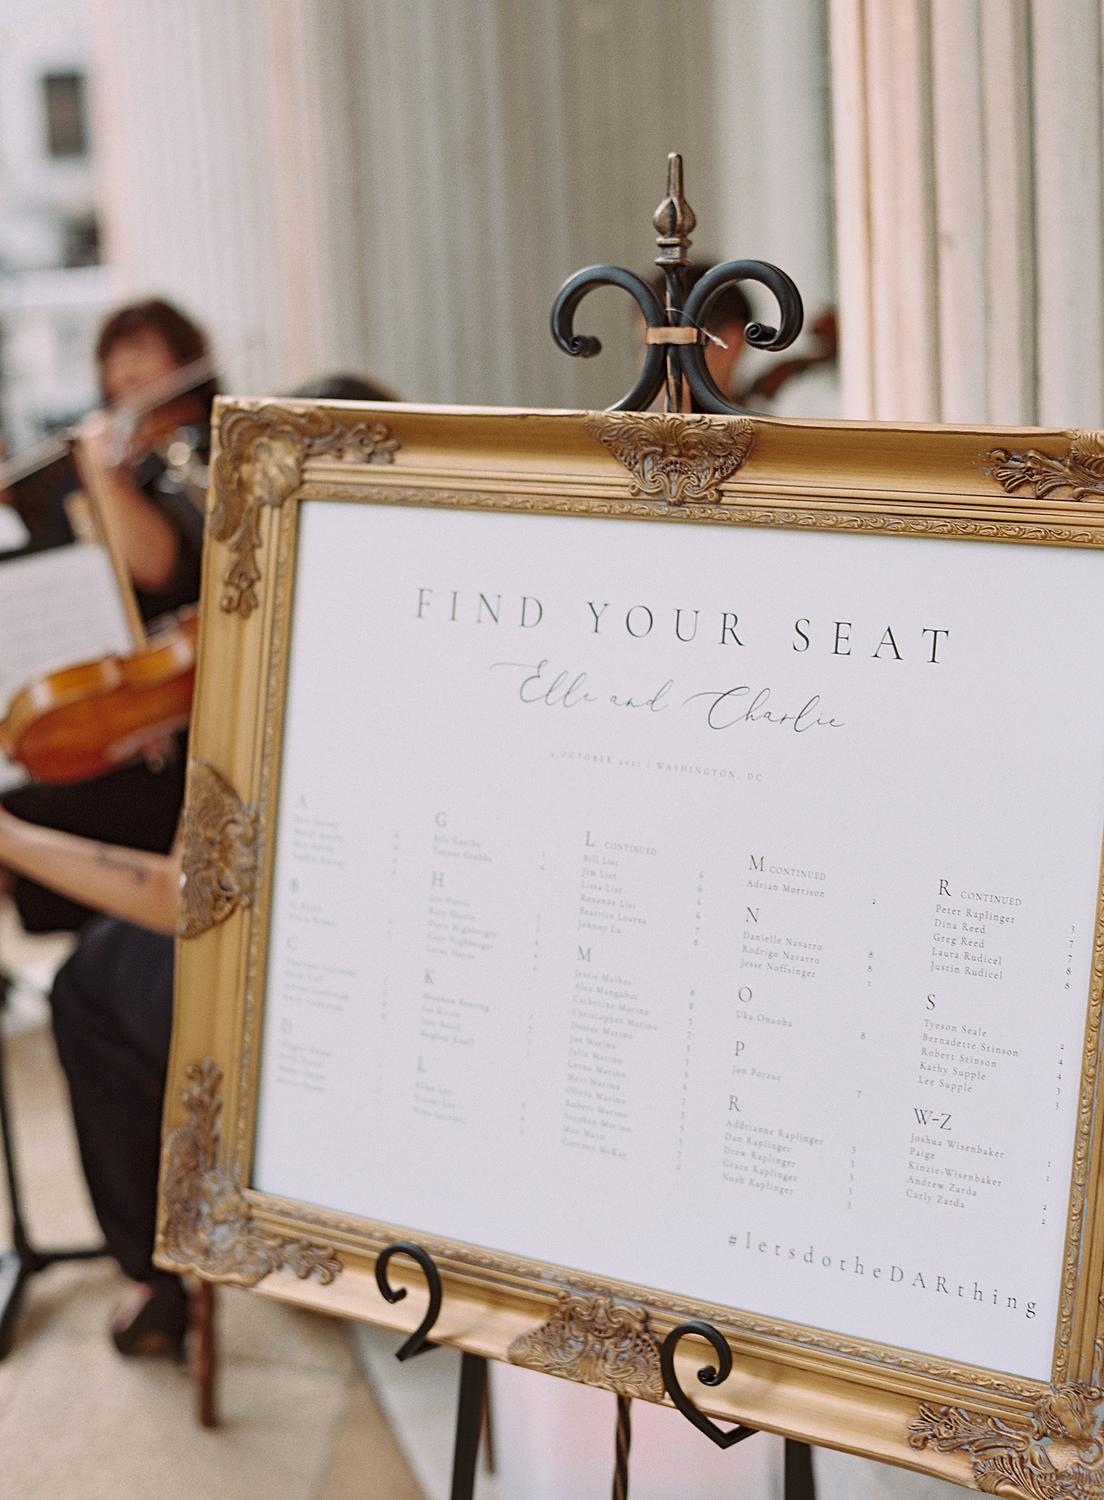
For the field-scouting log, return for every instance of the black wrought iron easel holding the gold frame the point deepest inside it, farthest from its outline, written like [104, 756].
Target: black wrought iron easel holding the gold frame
[674, 364]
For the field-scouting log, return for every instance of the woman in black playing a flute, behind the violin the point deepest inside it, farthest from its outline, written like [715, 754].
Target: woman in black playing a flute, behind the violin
[152, 469]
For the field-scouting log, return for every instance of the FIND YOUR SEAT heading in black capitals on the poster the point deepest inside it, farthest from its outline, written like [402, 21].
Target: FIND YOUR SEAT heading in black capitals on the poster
[640, 622]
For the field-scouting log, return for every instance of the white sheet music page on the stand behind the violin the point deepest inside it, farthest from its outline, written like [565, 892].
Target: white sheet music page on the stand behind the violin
[56, 608]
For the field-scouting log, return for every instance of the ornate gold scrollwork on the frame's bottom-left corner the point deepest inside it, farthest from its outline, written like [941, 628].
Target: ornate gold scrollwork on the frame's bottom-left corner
[206, 1223]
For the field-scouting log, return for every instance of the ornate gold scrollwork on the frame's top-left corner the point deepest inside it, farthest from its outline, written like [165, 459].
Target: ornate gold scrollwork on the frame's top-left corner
[259, 464]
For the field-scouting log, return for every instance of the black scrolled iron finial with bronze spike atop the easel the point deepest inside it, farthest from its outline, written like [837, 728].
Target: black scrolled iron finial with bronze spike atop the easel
[676, 335]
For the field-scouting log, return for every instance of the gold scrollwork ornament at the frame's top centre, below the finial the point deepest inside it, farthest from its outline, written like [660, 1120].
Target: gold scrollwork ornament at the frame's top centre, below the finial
[676, 458]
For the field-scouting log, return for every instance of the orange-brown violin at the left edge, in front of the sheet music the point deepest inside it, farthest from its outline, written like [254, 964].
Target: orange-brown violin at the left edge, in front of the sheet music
[98, 716]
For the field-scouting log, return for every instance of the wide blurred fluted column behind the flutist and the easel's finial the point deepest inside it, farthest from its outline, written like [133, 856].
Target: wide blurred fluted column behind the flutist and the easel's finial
[398, 185]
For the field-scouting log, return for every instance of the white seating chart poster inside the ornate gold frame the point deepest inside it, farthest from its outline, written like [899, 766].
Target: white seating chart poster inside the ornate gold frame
[709, 908]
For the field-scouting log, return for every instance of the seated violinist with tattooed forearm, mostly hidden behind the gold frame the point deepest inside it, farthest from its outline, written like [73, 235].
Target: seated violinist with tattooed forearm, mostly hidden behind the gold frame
[113, 1018]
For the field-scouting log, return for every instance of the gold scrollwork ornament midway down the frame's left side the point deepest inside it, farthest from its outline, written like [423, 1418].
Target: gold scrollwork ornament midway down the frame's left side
[220, 853]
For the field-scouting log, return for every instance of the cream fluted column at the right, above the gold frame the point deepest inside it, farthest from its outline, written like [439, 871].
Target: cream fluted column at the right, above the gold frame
[971, 238]
